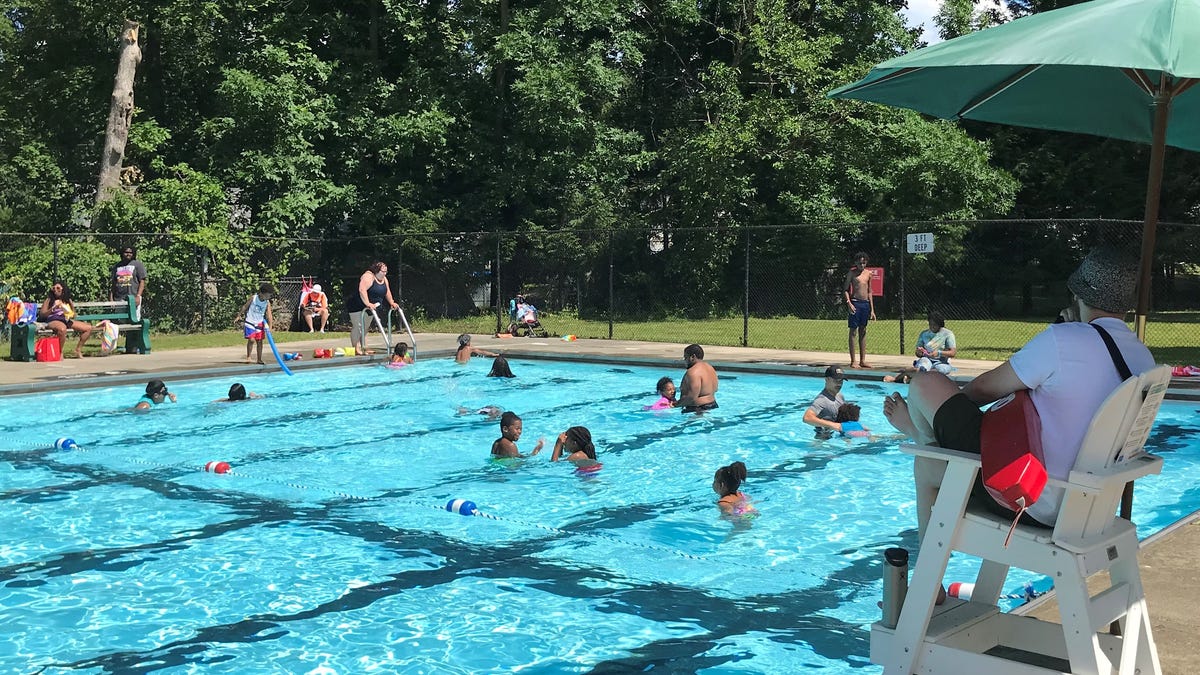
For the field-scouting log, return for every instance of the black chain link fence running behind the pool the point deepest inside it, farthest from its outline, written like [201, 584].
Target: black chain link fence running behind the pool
[997, 283]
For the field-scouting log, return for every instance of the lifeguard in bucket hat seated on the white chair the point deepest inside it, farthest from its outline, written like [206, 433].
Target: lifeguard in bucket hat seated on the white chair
[1069, 369]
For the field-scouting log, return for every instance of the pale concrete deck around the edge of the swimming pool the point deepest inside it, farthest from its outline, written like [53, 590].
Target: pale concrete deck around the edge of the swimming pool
[1173, 588]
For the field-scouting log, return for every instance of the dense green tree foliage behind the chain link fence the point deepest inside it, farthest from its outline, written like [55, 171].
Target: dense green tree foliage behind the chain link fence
[379, 118]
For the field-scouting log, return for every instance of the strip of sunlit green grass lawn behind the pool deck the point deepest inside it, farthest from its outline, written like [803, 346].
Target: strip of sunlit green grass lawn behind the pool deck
[1172, 342]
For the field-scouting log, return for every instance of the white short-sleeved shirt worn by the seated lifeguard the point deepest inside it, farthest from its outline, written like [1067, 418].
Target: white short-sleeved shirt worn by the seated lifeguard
[1070, 373]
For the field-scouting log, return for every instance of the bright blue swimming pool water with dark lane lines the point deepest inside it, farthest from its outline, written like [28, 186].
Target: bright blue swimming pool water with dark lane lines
[328, 551]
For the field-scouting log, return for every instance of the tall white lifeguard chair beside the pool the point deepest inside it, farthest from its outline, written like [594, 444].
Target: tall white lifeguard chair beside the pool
[975, 637]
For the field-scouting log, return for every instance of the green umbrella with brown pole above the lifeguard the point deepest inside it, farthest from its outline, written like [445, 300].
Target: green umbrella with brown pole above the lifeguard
[1120, 69]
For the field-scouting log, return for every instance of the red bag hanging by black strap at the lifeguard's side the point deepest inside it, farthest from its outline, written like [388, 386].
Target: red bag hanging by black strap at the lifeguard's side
[1011, 452]
